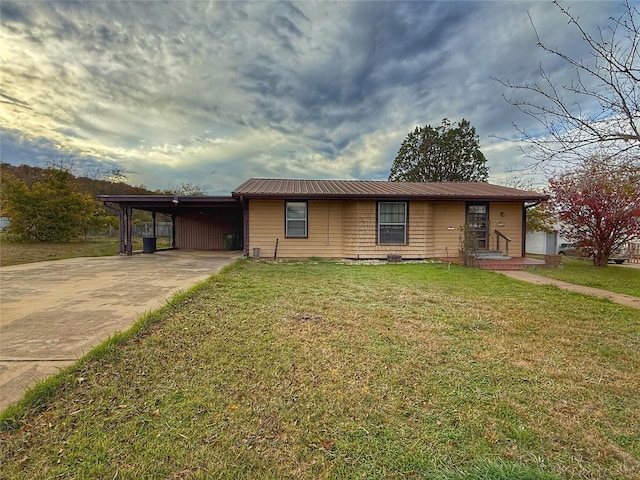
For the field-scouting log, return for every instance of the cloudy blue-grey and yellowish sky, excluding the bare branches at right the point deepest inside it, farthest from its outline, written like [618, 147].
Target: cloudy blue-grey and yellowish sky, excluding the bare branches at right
[212, 93]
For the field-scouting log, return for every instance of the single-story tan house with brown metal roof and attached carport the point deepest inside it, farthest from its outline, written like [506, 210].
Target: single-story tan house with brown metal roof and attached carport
[344, 218]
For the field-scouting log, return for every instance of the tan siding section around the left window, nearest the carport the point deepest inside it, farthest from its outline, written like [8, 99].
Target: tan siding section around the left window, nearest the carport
[324, 235]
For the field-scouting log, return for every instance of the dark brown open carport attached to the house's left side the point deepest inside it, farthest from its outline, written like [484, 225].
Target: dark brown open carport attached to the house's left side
[198, 223]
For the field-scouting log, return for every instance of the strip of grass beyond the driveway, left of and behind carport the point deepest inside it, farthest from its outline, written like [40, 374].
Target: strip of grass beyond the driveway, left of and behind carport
[18, 253]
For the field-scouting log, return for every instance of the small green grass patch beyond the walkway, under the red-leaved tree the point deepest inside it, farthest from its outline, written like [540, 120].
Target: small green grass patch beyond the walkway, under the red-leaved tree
[614, 278]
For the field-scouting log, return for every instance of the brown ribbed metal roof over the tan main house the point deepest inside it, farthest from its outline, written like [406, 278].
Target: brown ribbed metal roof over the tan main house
[288, 188]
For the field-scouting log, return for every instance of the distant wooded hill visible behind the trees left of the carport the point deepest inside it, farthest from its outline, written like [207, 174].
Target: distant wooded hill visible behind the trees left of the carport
[30, 175]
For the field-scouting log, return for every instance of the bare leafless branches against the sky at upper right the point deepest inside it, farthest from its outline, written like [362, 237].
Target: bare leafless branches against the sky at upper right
[598, 112]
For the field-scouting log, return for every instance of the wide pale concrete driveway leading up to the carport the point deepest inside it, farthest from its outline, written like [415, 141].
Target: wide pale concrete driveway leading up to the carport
[52, 313]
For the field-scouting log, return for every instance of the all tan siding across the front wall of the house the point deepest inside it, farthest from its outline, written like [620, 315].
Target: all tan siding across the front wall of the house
[348, 228]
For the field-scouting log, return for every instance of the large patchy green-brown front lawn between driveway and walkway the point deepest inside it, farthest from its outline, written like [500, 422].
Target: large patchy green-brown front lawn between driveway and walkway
[322, 370]
